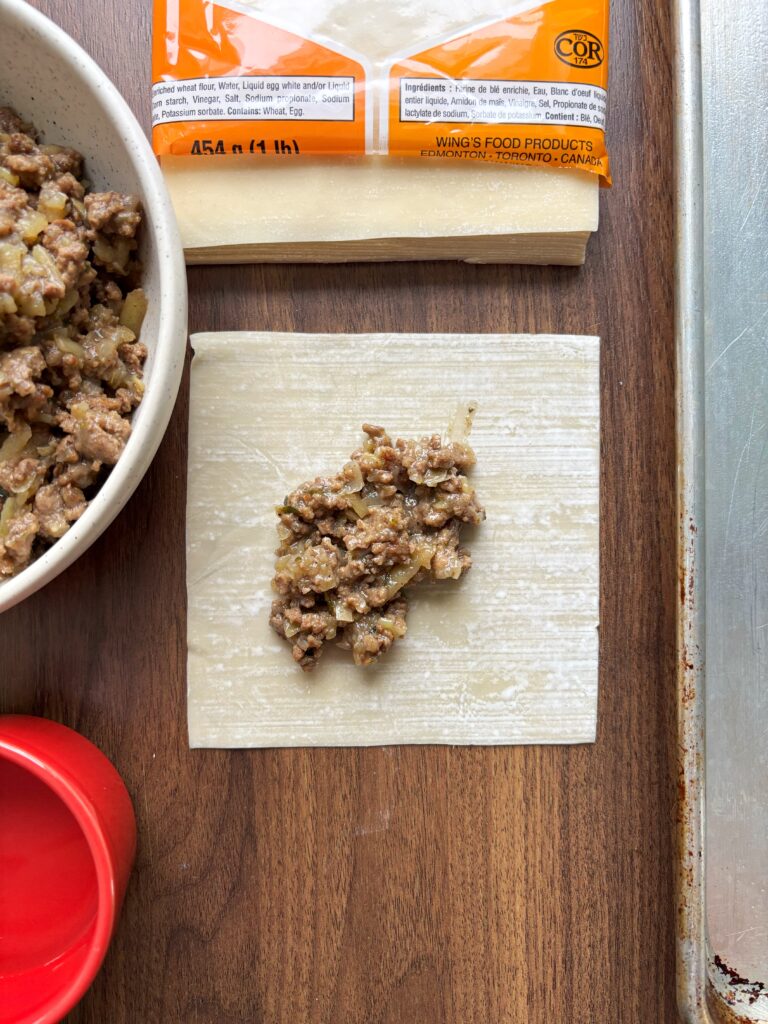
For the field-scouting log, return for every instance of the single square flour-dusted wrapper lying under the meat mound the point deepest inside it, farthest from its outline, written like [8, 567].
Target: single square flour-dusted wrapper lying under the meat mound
[506, 655]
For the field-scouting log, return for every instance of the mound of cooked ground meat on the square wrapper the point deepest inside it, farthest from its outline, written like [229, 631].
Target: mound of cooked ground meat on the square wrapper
[351, 544]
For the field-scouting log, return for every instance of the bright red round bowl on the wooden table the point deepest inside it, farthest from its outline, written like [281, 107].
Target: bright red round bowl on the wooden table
[68, 838]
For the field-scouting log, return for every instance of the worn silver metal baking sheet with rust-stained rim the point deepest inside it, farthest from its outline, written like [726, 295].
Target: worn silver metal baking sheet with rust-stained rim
[722, 325]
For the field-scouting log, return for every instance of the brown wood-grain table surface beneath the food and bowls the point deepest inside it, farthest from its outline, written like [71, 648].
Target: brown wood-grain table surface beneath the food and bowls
[526, 885]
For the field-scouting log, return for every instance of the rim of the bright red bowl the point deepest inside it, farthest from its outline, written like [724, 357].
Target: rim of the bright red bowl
[66, 788]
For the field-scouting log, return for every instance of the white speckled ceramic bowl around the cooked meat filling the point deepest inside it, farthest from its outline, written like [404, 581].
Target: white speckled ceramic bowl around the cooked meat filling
[55, 84]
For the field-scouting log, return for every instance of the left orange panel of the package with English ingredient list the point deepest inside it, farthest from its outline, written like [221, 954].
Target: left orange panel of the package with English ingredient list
[225, 82]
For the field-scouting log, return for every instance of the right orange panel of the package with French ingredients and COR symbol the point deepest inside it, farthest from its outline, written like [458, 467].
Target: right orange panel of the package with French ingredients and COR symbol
[531, 90]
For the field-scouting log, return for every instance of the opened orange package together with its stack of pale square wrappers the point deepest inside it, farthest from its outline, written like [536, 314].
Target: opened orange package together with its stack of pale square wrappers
[336, 132]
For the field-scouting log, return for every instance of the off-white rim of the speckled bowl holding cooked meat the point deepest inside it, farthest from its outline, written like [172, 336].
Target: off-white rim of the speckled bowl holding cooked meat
[169, 354]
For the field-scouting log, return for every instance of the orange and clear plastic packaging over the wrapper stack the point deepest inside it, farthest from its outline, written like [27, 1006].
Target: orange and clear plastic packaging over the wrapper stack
[293, 81]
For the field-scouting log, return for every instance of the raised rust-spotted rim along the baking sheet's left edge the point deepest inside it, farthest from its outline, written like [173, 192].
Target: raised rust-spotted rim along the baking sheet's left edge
[692, 944]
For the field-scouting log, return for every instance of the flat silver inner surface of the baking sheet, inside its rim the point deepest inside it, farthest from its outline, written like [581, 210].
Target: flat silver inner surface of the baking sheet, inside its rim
[735, 63]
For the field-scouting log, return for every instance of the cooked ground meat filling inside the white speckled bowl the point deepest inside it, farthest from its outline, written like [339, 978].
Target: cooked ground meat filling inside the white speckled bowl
[71, 363]
